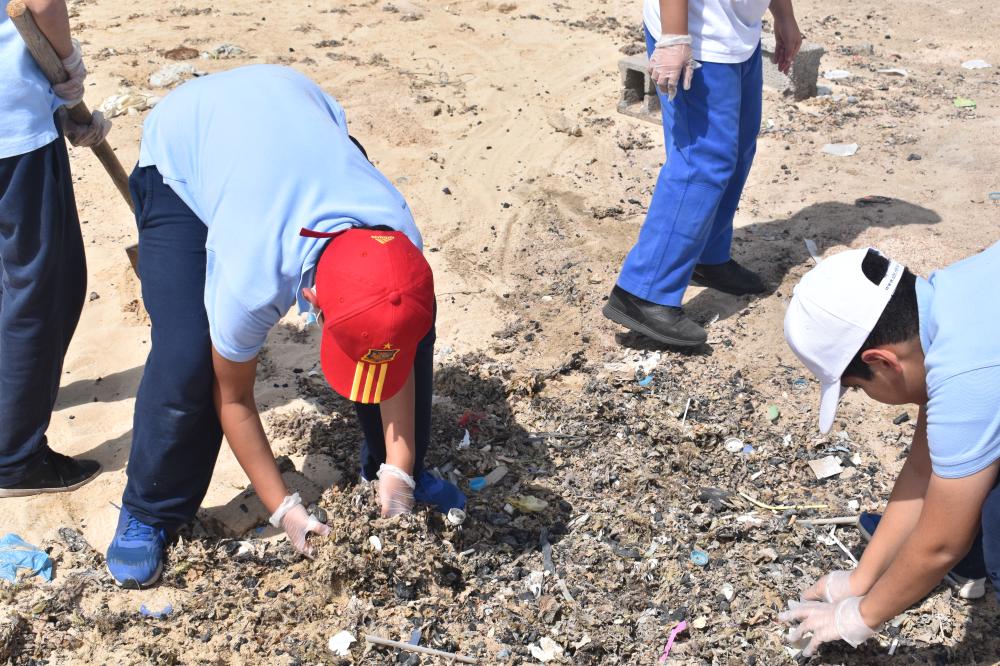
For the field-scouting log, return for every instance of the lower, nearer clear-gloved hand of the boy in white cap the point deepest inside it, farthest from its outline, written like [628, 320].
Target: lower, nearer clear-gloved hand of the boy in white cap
[826, 622]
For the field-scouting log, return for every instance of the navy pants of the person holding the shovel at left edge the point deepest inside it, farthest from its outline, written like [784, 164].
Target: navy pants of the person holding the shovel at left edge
[43, 280]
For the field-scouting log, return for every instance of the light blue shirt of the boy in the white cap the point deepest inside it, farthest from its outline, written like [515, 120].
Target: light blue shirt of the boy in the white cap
[960, 334]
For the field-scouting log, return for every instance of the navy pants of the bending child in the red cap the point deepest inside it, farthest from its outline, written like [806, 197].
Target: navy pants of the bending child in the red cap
[176, 433]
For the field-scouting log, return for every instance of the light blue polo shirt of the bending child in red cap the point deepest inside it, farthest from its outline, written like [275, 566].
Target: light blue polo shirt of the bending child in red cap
[259, 153]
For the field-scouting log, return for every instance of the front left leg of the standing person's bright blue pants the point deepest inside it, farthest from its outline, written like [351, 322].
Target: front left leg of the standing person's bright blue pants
[702, 131]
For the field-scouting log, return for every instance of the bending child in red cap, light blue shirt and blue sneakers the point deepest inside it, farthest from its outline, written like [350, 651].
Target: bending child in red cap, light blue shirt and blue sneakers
[249, 196]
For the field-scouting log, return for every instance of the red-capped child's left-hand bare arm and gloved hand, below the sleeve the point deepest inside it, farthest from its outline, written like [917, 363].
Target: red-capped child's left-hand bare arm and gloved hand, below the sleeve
[237, 408]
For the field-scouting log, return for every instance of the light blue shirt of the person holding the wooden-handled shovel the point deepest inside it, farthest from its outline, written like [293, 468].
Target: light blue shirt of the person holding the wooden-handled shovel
[26, 98]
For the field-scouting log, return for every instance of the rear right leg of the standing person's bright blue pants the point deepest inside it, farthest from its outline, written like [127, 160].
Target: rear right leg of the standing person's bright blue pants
[720, 238]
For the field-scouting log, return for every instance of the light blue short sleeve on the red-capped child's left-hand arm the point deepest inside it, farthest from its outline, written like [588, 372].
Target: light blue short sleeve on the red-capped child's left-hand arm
[237, 333]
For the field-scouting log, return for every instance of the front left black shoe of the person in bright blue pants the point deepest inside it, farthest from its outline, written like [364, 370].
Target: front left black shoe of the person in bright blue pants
[662, 323]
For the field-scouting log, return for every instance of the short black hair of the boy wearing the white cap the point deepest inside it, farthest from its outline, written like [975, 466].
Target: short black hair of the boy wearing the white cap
[900, 321]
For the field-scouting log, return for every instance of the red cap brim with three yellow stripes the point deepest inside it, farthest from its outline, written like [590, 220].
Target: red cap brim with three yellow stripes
[361, 381]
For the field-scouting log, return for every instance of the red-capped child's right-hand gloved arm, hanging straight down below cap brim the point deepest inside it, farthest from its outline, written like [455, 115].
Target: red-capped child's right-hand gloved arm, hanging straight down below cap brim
[398, 419]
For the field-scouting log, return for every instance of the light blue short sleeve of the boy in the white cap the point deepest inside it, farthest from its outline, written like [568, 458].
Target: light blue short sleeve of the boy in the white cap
[963, 422]
